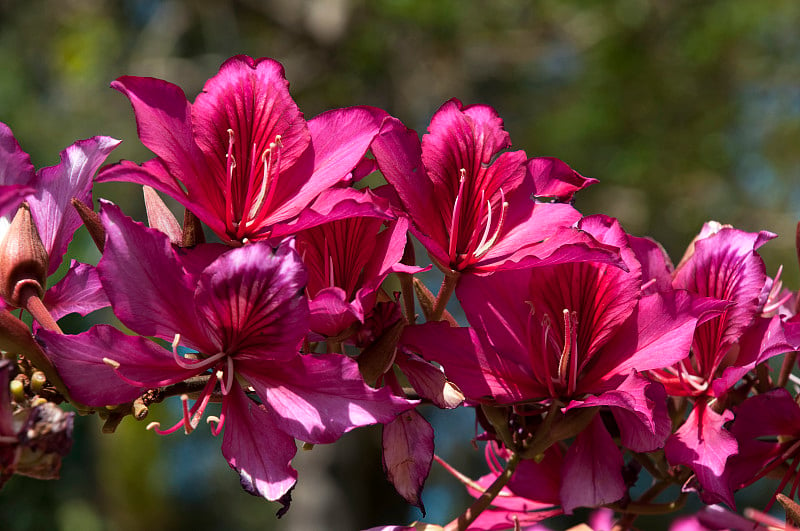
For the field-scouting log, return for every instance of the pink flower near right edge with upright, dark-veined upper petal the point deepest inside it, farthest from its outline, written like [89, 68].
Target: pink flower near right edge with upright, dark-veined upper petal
[722, 263]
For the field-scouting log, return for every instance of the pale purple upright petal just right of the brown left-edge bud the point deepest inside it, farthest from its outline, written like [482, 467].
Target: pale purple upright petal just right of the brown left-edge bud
[55, 217]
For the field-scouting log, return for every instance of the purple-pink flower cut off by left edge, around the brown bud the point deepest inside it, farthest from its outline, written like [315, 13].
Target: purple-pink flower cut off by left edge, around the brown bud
[54, 221]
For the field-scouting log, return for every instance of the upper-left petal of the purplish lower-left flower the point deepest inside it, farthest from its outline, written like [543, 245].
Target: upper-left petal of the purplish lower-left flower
[148, 289]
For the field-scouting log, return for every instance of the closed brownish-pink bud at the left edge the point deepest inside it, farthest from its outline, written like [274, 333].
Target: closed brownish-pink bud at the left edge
[23, 259]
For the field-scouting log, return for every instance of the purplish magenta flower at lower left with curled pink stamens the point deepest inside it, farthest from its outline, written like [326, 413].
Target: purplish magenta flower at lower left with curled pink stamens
[243, 315]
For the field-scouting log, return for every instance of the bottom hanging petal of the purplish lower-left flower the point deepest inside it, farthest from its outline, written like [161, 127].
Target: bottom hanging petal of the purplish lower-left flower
[257, 447]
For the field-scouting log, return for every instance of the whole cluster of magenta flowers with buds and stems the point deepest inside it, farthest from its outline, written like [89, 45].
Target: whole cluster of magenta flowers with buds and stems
[590, 360]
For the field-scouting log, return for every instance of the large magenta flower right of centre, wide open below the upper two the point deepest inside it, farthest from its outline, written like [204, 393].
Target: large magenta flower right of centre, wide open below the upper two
[571, 337]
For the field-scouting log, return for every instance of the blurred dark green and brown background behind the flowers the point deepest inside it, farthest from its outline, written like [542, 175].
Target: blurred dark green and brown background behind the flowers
[685, 110]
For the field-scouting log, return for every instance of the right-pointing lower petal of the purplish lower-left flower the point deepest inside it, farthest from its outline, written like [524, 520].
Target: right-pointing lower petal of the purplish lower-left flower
[320, 397]
